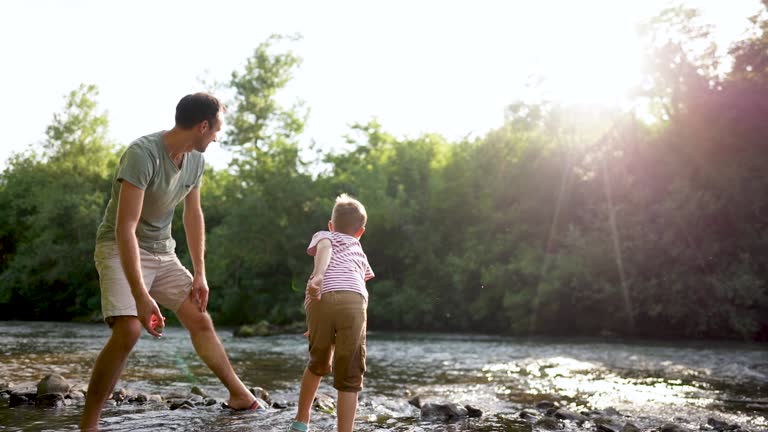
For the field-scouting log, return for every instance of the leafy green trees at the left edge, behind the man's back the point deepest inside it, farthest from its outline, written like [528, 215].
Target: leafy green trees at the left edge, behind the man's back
[53, 201]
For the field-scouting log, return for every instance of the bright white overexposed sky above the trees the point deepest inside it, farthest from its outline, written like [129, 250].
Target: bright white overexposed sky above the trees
[448, 67]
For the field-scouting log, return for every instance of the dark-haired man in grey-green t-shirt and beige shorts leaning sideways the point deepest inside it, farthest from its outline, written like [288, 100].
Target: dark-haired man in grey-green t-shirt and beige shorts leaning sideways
[135, 256]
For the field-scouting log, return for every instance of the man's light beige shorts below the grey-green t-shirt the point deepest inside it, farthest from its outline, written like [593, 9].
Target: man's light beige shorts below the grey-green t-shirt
[168, 282]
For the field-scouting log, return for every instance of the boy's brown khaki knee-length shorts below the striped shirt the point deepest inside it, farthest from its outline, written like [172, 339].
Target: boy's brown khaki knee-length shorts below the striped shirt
[337, 325]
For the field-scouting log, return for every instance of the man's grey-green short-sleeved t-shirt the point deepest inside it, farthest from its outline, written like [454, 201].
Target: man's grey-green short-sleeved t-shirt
[146, 165]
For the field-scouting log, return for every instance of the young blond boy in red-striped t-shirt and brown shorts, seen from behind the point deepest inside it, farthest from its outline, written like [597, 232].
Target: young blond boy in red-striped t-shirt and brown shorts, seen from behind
[336, 304]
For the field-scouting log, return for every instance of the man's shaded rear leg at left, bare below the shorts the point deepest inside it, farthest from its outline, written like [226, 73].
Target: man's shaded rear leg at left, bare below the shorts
[126, 331]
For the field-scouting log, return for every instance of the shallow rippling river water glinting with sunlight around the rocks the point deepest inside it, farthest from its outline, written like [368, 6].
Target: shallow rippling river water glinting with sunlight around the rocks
[652, 383]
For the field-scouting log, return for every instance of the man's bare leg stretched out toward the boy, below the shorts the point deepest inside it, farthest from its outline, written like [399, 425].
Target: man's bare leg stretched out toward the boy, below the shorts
[211, 351]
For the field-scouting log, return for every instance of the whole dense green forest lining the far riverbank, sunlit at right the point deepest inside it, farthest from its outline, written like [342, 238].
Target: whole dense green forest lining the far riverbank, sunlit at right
[561, 221]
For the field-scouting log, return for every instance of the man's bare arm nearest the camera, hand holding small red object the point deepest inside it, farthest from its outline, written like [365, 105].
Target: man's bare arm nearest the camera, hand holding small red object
[129, 208]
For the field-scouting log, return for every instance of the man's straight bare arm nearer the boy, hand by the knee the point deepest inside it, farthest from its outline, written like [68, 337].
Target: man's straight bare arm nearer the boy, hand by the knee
[194, 226]
